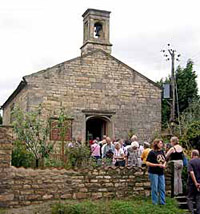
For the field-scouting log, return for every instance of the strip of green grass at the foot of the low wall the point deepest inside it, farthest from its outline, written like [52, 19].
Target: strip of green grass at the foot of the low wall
[132, 206]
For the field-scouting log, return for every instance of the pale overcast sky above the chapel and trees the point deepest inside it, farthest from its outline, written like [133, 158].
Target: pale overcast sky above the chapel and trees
[37, 34]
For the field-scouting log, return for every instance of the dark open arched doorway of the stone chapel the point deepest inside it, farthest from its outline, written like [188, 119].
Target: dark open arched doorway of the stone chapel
[96, 127]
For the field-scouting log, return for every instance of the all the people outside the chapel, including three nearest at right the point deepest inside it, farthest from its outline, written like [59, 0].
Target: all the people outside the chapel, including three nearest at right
[155, 157]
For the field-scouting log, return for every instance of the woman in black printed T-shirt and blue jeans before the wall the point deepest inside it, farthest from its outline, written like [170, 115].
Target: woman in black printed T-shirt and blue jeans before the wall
[156, 163]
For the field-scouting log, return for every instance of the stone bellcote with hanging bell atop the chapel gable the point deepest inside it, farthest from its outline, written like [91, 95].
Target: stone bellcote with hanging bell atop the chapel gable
[96, 30]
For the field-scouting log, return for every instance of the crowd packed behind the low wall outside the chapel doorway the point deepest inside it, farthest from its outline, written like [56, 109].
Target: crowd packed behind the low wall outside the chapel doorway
[119, 152]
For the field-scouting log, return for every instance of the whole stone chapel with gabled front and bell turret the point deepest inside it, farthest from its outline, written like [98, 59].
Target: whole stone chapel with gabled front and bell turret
[101, 94]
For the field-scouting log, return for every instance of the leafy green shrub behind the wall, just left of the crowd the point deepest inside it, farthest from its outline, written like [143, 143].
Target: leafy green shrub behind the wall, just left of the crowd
[77, 156]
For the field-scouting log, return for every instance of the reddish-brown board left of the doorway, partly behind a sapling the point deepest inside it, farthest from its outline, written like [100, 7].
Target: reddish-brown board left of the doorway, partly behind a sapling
[55, 130]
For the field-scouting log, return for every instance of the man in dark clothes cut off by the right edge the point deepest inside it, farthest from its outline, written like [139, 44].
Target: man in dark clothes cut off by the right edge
[194, 182]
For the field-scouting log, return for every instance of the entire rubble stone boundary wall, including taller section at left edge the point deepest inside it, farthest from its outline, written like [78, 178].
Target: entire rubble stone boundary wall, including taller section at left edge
[21, 187]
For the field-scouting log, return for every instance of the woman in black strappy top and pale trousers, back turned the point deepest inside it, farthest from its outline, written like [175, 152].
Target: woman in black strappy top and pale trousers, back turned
[175, 154]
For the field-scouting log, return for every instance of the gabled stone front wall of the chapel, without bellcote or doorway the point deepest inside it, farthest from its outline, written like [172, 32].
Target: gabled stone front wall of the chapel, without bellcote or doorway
[98, 82]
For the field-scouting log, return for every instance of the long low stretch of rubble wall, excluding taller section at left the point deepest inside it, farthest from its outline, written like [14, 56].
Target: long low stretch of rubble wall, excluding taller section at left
[34, 186]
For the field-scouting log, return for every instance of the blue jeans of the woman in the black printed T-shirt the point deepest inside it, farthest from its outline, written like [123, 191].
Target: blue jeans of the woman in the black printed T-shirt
[157, 188]
